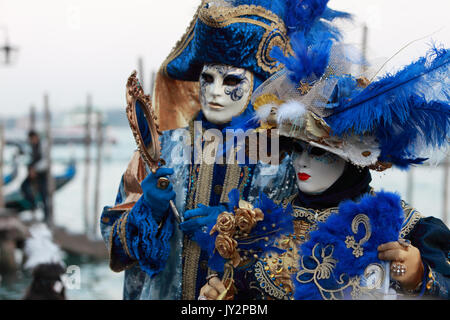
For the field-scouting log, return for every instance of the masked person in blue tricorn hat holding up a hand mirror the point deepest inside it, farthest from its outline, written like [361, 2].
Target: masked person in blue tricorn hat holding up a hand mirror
[222, 58]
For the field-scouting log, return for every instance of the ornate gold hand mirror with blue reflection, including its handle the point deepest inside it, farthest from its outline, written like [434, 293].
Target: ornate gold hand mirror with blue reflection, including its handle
[142, 120]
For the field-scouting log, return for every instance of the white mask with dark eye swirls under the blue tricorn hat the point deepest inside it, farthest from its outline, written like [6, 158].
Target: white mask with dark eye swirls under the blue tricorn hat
[224, 92]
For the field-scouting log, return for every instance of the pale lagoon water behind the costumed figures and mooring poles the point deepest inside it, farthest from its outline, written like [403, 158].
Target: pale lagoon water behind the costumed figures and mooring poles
[98, 282]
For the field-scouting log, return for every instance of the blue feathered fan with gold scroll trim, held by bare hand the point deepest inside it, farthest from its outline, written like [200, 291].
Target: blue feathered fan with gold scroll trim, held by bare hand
[338, 254]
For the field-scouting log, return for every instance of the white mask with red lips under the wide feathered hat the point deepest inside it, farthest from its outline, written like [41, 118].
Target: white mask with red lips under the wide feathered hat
[316, 169]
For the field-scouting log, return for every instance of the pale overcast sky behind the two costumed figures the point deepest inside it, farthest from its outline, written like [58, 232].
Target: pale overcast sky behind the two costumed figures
[69, 48]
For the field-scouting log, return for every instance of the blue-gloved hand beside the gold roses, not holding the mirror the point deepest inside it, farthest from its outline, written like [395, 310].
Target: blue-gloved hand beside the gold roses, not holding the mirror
[203, 216]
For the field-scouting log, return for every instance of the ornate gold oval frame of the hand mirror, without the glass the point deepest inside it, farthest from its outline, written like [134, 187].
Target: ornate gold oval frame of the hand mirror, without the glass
[134, 93]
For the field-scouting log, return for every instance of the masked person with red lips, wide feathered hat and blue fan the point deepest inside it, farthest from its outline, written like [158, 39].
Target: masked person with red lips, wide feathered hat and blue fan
[334, 129]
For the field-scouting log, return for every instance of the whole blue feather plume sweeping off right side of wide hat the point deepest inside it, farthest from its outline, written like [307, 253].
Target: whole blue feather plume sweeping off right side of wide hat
[400, 109]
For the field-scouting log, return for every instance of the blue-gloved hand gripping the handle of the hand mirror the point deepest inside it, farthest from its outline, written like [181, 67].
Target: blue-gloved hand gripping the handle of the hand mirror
[155, 198]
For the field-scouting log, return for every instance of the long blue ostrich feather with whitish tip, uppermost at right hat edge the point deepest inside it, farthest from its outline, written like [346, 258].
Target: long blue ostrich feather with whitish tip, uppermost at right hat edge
[388, 100]
